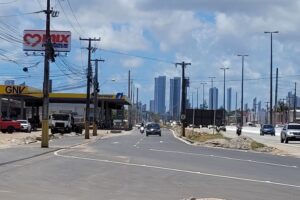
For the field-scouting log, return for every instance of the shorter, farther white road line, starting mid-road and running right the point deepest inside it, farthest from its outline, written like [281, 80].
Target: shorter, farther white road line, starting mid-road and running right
[224, 157]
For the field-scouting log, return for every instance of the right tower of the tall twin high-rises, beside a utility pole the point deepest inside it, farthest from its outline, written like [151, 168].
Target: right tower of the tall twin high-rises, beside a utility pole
[174, 104]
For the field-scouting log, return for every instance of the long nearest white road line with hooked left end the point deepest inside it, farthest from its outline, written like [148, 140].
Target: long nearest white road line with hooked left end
[176, 170]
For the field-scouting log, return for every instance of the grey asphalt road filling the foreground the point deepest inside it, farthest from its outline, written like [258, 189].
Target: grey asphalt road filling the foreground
[138, 167]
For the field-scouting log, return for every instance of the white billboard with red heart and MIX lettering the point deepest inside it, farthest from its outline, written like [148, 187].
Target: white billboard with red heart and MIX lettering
[34, 40]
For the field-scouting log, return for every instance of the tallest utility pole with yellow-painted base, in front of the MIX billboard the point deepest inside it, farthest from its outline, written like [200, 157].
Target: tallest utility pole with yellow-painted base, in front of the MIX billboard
[49, 54]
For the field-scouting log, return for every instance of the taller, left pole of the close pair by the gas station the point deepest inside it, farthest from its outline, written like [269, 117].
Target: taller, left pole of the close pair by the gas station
[88, 90]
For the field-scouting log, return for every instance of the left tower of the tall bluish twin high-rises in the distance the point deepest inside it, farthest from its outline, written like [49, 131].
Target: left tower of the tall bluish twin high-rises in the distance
[160, 95]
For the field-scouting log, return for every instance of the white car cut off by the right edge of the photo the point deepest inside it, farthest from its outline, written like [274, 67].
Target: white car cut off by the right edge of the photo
[290, 132]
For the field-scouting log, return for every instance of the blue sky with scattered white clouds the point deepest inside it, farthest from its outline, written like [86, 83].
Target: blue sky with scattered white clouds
[149, 36]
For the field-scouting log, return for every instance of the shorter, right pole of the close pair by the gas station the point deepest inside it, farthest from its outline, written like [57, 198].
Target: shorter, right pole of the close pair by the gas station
[96, 91]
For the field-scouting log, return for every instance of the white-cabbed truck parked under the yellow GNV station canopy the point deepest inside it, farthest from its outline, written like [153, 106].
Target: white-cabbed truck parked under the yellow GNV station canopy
[66, 123]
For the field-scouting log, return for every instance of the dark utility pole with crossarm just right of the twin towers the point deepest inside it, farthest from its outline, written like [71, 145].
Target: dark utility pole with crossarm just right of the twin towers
[183, 97]
